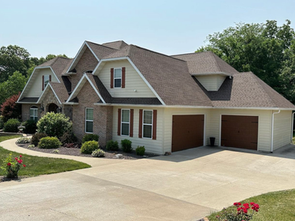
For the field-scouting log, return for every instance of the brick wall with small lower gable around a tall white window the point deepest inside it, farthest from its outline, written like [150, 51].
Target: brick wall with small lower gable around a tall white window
[102, 115]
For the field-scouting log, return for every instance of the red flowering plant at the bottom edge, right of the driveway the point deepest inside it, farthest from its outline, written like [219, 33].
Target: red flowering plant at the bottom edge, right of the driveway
[241, 212]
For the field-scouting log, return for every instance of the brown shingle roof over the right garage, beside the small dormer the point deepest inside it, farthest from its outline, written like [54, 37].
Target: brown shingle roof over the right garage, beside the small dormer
[246, 90]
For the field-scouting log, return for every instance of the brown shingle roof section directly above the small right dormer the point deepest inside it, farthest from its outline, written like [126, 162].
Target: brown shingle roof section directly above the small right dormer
[206, 63]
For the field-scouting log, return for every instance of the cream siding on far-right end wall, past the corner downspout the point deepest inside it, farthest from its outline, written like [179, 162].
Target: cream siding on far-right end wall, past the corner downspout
[282, 129]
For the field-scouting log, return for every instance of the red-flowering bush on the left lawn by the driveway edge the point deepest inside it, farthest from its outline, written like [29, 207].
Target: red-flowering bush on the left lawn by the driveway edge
[11, 167]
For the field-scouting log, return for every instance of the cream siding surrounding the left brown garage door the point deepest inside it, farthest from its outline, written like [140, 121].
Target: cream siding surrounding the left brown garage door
[167, 130]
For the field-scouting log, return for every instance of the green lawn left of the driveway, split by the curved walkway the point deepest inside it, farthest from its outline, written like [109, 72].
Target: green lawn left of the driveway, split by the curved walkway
[36, 166]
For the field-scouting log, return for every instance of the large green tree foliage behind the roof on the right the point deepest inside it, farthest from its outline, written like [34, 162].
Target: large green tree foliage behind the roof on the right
[266, 49]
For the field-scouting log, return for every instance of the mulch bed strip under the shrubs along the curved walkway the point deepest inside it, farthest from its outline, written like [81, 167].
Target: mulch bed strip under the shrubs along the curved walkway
[75, 151]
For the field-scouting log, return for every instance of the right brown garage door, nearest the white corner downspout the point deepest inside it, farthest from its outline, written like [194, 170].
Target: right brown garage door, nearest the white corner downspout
[239, 131]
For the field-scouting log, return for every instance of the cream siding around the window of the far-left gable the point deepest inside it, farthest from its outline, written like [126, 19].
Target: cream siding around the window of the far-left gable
[36, 89]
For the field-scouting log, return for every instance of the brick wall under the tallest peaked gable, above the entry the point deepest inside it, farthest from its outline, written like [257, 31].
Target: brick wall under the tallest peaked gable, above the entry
[86, 63]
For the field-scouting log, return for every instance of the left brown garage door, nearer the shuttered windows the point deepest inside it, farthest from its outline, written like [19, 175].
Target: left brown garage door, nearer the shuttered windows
[187, 131]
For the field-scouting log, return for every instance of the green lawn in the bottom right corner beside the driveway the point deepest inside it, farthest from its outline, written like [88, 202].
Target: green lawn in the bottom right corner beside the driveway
[273, 206]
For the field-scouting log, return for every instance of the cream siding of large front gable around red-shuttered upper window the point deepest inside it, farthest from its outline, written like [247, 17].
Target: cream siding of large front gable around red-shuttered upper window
[134, 85]
